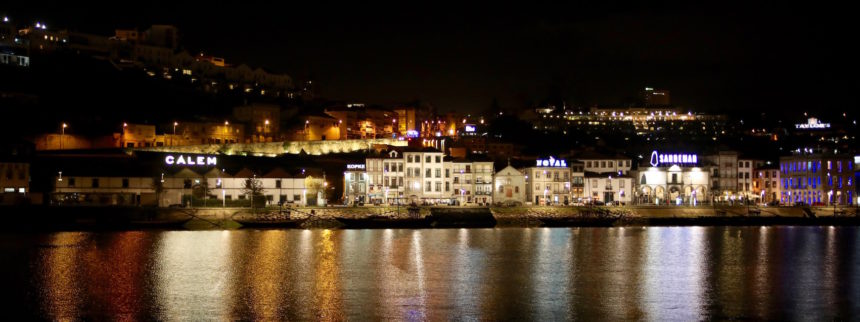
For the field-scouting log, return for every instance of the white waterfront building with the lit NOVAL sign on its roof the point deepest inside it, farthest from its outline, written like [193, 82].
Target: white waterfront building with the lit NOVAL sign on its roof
[548, 182]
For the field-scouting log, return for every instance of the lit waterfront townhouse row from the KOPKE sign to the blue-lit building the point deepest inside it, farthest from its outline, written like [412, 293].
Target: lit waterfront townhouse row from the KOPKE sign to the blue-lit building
[429, 177]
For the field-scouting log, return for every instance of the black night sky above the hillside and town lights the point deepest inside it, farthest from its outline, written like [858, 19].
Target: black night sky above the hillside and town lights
[721, 58]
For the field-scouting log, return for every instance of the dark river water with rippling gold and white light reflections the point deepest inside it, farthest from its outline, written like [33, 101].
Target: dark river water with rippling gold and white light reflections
[655, 273]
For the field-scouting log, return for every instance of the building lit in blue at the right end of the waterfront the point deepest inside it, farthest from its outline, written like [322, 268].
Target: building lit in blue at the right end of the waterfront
[817, 179]
